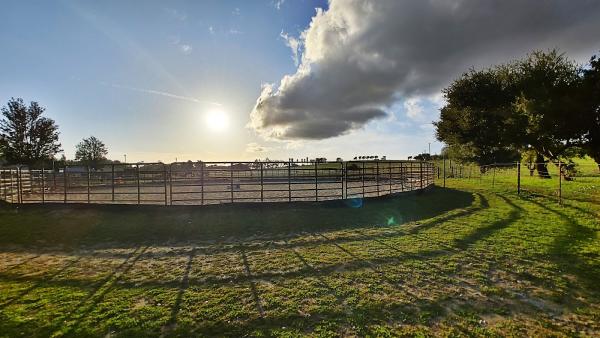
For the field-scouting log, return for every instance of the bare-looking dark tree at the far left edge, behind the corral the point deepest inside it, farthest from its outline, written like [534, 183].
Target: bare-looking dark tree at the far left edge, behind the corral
[28, 137]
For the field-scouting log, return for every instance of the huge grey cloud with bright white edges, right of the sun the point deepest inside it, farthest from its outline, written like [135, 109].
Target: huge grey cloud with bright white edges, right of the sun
[360, 56]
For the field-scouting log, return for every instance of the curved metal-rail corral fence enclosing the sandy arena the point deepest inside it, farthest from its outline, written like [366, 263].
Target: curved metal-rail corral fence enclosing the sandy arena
[202, 183]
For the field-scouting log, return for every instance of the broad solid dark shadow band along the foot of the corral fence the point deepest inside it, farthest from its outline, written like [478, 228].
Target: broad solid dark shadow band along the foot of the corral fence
[73, 225]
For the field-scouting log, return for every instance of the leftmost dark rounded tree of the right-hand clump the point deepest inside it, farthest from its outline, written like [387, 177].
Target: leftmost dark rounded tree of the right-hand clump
[476, 122]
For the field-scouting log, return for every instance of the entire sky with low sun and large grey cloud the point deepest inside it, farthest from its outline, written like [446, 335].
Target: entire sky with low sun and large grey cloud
[240, 80]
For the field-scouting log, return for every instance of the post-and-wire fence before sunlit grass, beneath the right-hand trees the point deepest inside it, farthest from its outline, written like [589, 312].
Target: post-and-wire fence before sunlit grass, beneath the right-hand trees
[579, 181]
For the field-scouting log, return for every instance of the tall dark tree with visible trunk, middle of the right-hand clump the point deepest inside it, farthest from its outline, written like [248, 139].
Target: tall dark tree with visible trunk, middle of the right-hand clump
[547, 106]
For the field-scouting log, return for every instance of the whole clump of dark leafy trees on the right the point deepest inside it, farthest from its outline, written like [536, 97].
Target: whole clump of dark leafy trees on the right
[544, 106]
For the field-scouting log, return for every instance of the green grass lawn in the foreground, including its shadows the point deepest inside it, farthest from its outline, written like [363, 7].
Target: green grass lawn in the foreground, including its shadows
[467, 260]
